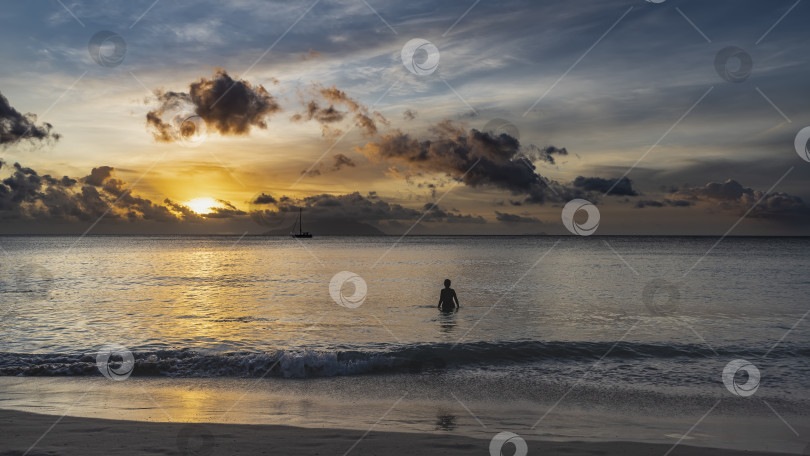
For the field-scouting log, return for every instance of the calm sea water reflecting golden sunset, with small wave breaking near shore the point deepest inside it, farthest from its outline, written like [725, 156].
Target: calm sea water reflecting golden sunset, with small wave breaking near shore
[628, 325]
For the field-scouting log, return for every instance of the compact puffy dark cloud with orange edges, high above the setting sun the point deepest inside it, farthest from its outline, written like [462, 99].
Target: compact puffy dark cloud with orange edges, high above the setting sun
[228, 106]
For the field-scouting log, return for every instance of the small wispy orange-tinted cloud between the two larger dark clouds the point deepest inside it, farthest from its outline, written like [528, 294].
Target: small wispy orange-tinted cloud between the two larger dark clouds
[325, 106]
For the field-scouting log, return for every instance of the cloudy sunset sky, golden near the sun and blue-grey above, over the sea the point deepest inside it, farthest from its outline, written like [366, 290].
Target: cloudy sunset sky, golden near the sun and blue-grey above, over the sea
[455, 117]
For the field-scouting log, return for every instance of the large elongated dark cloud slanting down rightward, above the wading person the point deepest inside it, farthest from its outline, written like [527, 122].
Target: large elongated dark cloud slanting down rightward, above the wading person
[480, 159]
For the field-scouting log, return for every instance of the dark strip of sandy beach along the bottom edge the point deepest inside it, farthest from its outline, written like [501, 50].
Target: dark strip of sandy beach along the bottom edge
[88, 437]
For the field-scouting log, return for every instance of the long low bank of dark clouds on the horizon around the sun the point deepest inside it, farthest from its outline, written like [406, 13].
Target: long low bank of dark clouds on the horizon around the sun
[27, 196]
